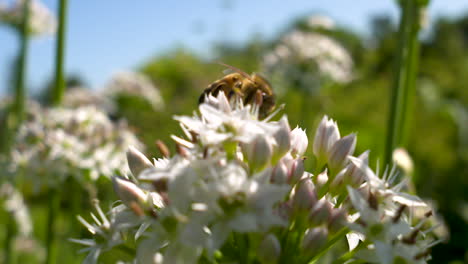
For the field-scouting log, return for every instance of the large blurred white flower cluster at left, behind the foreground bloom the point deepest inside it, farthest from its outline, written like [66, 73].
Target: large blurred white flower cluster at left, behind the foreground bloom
[58, 142]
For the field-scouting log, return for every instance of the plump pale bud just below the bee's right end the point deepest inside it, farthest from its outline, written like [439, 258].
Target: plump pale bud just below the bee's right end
[258, 153]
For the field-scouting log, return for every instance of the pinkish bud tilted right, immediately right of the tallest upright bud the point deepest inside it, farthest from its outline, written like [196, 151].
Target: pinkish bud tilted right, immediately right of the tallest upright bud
[340, 151]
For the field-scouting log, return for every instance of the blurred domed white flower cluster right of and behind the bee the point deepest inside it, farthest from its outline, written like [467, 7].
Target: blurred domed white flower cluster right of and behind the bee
[307, 58]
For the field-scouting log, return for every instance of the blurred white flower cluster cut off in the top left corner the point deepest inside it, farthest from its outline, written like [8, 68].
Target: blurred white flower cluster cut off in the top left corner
[41, 20]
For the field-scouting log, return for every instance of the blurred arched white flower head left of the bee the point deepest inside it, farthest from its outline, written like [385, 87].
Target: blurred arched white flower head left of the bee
[134, 84]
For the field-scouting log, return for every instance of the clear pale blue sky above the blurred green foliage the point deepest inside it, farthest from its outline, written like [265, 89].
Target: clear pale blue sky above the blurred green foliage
[106, 36]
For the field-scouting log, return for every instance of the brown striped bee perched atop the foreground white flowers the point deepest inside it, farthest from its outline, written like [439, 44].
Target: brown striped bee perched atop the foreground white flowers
[252, 89]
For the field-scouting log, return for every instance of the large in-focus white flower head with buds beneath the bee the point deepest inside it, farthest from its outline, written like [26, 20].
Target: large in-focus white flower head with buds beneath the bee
[236, 191]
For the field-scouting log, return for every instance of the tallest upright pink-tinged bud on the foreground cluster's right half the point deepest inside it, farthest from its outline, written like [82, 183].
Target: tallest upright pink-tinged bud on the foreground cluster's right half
[325, 137]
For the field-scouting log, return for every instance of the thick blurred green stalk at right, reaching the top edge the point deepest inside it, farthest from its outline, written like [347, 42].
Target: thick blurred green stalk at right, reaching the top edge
[406, 63]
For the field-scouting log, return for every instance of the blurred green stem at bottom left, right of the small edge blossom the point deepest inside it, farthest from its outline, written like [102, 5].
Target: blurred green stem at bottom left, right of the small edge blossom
[53, 206]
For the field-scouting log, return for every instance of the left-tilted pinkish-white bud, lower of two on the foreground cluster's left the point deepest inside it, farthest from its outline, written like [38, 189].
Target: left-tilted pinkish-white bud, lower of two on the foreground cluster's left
[130, 194]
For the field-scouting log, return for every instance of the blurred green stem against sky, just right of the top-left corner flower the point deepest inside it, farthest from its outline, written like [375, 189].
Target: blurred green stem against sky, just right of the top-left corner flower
[59, 88]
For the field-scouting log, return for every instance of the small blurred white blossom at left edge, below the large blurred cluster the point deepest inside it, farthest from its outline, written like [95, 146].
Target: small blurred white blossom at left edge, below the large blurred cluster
[12, 202]
